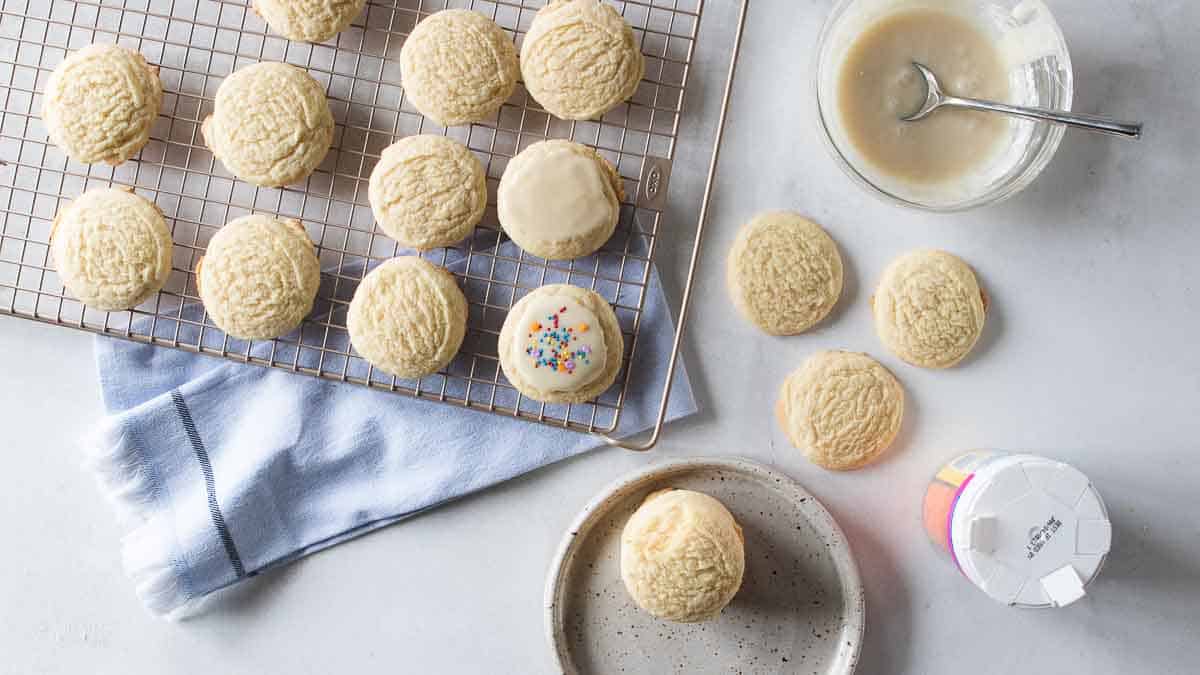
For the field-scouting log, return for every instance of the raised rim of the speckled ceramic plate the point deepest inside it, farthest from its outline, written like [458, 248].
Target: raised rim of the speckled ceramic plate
[853, 590]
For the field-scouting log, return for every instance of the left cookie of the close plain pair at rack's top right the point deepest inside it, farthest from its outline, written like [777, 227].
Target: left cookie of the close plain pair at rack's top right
[458, 67]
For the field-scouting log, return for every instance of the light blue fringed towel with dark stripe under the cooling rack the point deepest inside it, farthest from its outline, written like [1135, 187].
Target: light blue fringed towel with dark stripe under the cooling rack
[226, 470]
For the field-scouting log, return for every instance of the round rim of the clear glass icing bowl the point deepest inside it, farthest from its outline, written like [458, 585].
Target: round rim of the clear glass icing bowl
[1043, 159]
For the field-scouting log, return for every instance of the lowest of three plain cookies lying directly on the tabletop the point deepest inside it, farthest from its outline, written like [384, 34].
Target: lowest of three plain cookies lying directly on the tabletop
[843, 410]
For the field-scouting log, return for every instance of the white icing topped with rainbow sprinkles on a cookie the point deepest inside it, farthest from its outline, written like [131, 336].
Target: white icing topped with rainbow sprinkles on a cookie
[560, 347]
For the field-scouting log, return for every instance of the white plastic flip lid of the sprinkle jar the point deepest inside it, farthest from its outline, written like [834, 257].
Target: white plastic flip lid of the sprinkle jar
[1030, 531]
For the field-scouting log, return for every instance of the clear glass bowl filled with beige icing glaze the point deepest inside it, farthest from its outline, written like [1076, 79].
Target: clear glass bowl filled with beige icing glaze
[953, 160]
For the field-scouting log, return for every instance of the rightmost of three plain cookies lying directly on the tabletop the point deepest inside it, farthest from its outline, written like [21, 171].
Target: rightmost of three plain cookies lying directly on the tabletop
[929, 309]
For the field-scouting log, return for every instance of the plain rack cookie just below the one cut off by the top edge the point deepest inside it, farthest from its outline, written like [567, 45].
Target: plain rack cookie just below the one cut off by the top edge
[271, 124]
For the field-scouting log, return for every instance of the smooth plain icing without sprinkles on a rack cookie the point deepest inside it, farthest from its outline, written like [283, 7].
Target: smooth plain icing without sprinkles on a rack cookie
[562, 196]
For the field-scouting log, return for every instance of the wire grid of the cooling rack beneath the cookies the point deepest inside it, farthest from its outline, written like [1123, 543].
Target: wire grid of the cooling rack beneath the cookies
[196, 44]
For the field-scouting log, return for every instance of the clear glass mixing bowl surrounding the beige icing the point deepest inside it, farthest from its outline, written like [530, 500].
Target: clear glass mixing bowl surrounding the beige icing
[1033, 47]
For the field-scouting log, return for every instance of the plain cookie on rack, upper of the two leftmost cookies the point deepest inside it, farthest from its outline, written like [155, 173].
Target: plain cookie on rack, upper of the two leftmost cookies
[101, 103]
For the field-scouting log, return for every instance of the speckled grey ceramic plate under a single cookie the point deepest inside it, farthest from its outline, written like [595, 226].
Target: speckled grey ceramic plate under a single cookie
[801, 605]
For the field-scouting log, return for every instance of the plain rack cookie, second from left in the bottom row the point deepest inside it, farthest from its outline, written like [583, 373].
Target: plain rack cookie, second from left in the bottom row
[259, 278]
